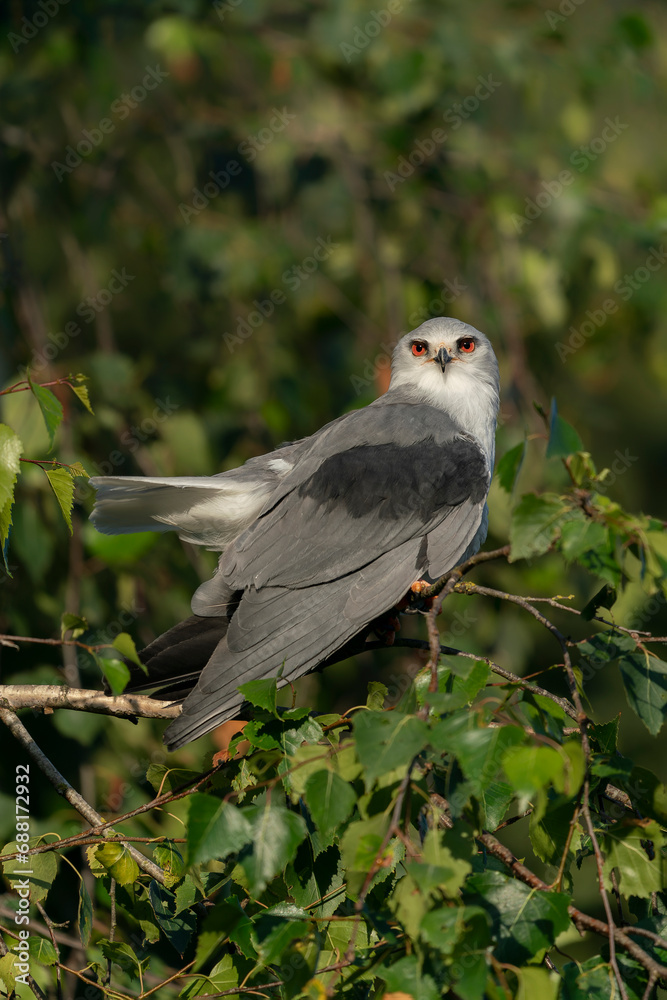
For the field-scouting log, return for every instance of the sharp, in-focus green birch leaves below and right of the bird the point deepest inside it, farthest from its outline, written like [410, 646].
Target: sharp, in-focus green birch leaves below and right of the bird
[356, 855]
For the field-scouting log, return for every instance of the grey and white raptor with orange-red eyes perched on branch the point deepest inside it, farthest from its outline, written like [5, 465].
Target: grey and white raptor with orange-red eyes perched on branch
[324, 535]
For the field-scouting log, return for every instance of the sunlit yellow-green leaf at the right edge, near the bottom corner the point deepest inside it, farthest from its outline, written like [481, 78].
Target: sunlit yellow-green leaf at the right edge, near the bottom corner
[641, 867]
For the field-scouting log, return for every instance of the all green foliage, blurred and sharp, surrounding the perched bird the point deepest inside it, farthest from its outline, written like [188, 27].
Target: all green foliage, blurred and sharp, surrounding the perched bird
[170, 255]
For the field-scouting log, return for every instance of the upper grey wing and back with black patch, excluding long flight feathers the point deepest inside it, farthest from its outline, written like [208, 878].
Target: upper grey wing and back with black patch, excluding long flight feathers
[382, 477]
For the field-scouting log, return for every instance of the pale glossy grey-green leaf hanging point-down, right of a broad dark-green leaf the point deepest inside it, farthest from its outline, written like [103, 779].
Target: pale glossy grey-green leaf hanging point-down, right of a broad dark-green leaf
[276, 834]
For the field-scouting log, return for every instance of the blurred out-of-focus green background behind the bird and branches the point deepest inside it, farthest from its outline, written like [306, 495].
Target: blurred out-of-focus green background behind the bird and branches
[225, 215]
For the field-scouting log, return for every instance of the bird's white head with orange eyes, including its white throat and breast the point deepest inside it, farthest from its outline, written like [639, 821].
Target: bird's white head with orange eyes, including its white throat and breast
[451, 365]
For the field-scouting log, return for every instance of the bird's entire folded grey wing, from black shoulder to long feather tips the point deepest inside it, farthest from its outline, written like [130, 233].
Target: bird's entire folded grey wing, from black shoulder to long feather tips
[339, 548]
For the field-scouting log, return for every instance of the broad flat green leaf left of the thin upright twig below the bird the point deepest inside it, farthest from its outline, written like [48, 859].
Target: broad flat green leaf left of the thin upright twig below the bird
[386, 740]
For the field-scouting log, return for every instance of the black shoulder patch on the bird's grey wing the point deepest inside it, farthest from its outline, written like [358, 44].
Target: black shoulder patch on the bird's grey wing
[398, 482]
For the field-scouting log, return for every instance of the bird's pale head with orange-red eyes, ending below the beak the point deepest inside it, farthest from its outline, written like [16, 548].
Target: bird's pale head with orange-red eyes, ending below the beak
[444, 359]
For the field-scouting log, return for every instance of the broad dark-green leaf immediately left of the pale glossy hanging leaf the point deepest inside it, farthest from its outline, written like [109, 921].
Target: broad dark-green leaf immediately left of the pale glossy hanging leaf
[216, 829]
